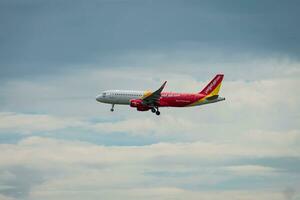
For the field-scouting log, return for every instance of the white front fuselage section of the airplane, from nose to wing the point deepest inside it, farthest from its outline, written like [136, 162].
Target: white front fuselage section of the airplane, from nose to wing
[119, 96]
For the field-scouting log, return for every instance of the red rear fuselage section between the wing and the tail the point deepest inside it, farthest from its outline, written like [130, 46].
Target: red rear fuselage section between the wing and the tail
[178, 99]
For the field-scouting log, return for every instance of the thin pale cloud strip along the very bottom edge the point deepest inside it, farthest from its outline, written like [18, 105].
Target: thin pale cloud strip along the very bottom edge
[156, 193]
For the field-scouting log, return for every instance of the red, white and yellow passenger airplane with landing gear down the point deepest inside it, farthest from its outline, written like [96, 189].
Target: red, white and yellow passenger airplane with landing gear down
[147, 100]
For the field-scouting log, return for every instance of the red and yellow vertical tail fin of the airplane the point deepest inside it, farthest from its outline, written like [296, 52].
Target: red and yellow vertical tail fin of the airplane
[213, 87]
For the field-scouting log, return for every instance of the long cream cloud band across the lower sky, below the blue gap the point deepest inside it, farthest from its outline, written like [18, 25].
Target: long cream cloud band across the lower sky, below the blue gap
[67, 152]
